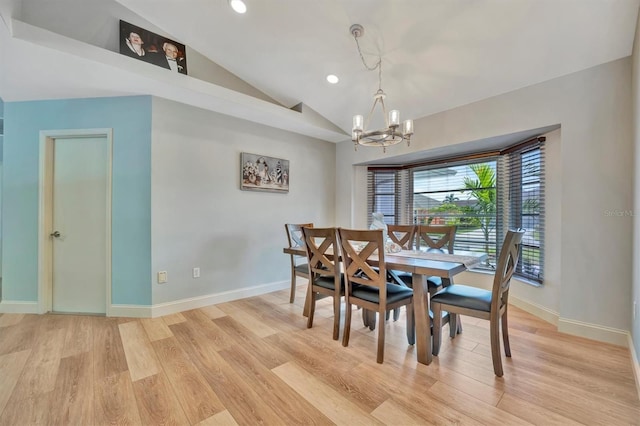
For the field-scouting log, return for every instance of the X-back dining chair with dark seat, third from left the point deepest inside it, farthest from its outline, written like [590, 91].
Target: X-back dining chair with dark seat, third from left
[366, 283]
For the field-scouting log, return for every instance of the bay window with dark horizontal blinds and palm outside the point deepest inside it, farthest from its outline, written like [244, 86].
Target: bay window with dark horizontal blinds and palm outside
[484, 195]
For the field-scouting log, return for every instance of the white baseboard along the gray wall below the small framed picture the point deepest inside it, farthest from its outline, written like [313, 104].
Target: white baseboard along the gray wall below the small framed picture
[212, 299]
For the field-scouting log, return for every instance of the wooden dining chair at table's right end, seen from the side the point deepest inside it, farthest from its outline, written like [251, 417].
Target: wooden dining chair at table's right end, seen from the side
[485, 304]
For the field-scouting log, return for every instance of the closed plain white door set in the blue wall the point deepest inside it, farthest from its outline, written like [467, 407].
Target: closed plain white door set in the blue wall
[79, 215]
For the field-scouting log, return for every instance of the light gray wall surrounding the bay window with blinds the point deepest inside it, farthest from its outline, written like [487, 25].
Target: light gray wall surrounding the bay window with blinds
[591, 176]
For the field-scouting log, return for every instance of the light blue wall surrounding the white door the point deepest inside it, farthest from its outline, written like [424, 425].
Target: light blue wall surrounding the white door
[130, 119]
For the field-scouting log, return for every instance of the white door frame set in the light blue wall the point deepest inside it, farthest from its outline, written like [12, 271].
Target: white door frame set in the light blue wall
[45, 211]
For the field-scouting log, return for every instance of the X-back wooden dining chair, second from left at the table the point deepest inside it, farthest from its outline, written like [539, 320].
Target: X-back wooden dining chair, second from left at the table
[325, 277]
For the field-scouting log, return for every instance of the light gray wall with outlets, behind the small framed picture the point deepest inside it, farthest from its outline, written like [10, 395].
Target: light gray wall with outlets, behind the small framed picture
[201, 218]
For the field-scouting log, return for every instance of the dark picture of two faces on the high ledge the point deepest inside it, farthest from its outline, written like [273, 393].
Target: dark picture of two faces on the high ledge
[146, 46]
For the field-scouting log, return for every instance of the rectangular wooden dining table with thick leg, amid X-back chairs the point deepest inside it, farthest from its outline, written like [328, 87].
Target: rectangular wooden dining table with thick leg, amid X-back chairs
[421, 265]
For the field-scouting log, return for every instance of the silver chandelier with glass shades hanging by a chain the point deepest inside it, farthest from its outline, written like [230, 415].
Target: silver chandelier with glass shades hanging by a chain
[391, 134]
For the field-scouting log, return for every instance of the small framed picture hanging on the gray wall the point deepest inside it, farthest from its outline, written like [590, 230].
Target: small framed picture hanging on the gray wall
[262, 173]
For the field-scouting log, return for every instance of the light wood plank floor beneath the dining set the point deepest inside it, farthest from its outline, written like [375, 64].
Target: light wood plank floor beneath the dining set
[253, 361]
